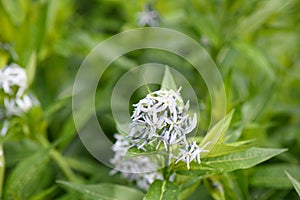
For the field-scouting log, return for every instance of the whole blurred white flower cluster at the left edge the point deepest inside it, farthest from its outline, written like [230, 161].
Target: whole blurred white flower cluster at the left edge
[13, 83]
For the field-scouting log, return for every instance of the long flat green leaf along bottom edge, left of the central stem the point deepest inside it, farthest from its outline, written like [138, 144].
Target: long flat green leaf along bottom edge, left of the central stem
[104, 191]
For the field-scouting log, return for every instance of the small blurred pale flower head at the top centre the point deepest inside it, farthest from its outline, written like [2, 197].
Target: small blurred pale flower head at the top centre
[148, 17]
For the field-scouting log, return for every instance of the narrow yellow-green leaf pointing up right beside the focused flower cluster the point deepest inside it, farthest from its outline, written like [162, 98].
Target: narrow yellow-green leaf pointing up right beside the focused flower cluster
[215, 135]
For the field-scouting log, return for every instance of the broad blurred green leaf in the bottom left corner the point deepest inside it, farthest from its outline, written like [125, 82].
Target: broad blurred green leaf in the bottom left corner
[26, 178]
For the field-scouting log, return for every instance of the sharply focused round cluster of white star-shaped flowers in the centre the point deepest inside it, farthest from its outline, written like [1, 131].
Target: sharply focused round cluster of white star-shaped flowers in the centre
[161, 117]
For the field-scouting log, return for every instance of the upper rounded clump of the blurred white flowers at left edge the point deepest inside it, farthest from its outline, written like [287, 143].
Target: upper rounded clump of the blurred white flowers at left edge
[13, 75]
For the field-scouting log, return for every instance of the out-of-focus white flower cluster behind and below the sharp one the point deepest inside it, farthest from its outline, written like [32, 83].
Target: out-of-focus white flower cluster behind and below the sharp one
[139, 169]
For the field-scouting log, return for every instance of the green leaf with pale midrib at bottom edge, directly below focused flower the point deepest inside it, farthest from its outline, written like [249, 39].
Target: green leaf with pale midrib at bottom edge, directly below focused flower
[162, 190]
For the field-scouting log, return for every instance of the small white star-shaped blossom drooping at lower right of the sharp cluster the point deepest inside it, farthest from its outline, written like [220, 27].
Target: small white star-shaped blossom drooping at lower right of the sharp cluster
[191, 152]
